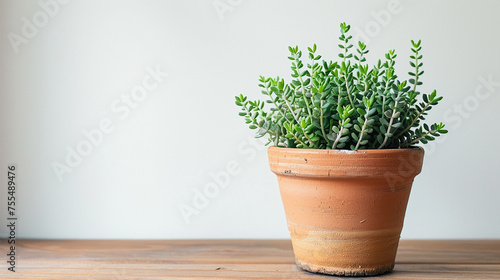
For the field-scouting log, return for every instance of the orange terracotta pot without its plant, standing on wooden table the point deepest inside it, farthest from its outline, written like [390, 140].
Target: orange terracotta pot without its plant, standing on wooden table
[345, 209]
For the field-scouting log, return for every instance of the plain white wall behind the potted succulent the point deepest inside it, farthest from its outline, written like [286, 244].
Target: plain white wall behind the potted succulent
[70, 70]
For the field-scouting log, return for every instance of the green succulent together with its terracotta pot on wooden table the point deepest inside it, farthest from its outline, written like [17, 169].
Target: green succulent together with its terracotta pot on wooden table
[344, 138]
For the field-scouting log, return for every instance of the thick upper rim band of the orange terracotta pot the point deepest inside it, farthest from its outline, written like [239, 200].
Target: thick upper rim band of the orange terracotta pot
[298, 162]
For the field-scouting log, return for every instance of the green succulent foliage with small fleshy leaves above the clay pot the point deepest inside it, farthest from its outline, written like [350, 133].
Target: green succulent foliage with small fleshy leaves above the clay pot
[345, 104]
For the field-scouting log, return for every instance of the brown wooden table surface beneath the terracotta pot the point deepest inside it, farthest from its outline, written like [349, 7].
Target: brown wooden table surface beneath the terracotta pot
[231, 259]
